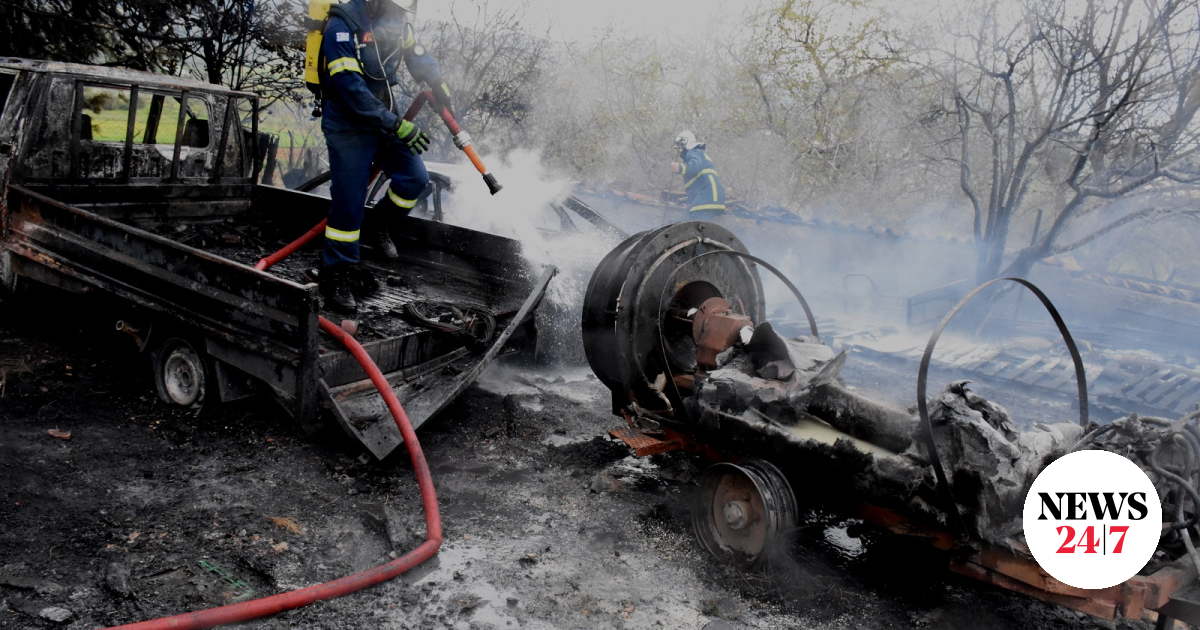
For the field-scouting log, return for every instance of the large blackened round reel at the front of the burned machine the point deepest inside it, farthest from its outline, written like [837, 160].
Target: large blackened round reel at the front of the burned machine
[652, 274]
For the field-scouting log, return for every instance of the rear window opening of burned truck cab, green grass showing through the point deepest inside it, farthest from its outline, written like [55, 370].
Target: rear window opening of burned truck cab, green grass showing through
[129, 133]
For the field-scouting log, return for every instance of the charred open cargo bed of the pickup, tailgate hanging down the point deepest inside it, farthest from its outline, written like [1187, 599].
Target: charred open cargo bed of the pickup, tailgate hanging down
[259, 331]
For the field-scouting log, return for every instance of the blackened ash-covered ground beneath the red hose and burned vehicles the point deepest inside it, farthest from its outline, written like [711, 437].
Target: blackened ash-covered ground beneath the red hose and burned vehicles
[151, 511]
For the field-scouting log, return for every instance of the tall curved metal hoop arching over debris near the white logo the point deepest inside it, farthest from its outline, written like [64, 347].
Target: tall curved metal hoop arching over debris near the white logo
[927, 428]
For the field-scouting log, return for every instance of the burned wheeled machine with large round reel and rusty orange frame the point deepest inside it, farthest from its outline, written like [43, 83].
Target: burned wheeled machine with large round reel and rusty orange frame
[674, 326]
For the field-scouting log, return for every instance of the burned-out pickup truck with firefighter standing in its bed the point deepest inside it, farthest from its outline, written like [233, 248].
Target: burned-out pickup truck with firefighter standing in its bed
[146, 189]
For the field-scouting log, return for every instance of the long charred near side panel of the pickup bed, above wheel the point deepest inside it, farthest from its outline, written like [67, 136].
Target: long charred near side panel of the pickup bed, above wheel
[263, 325]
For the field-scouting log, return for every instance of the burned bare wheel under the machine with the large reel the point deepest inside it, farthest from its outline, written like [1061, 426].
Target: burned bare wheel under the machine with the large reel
[743, 512]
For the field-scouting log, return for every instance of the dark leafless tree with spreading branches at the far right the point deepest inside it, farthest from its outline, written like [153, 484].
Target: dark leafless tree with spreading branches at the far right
[1067, 109]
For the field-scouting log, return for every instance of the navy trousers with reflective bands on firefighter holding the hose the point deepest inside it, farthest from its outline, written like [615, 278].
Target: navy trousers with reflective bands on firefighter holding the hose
[351, 157]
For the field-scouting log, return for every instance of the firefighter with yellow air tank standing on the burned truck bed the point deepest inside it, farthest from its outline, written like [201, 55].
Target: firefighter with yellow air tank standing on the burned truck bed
[362, 50]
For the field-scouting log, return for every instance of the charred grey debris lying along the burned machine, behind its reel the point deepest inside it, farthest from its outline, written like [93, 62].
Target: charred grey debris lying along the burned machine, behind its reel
[789, 389]
